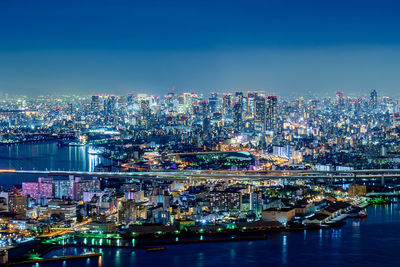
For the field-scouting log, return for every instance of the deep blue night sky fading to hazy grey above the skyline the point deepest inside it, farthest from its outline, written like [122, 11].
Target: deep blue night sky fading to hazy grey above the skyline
[280, 46]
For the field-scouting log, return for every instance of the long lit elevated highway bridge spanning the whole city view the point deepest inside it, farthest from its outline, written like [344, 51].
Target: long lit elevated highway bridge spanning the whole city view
[248, 175]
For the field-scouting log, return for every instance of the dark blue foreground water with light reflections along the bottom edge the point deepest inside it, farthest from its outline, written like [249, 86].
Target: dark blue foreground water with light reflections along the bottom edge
[369, 242]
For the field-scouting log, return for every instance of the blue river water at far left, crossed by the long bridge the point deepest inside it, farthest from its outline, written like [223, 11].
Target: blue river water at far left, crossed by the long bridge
[44, 156]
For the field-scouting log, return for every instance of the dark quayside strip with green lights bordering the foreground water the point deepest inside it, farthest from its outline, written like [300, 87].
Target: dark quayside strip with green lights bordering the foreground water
[163, 240]
